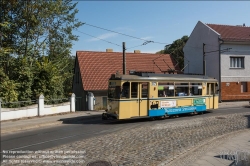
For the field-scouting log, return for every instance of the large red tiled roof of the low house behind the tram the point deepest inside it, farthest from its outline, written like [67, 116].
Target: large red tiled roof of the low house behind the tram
[97, 67]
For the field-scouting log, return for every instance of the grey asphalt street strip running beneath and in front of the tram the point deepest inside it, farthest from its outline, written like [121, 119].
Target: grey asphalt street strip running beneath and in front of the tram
[75, 130]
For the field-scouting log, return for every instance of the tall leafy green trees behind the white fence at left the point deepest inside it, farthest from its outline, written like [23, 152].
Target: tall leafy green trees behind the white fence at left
[36, 39]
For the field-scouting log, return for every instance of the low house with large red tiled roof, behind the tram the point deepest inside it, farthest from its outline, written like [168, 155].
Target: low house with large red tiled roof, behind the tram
[93, 70]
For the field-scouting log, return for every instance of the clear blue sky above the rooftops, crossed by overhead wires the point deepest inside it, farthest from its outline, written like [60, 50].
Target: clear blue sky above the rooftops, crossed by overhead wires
[158, 21]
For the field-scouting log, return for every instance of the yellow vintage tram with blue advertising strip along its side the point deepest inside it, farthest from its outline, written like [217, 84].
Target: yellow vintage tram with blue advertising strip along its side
[159, 95]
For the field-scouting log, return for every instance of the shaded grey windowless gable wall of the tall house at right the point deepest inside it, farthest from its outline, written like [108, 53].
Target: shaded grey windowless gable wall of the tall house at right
[193, 51]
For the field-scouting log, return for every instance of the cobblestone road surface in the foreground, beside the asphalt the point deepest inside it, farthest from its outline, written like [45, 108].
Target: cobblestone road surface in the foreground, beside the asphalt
[165, 143]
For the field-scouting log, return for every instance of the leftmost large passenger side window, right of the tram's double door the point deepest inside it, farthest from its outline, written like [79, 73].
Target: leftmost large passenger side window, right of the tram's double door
[165, 89]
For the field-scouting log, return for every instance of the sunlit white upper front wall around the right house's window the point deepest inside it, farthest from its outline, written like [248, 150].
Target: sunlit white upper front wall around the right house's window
[231, 74]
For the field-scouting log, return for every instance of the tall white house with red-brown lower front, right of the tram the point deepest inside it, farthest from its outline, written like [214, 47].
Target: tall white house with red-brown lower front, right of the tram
[222, 52]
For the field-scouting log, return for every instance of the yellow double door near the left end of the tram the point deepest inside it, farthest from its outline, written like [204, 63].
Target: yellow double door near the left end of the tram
[139, 99]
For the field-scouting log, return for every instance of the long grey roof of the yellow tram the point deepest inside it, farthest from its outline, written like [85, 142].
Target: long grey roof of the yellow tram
[164, 77]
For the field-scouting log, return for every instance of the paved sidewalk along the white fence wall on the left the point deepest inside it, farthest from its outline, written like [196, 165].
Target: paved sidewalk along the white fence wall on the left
[50, 120]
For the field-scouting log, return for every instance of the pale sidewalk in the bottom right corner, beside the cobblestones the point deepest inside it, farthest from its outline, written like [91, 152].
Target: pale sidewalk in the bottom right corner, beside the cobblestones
[234, 151]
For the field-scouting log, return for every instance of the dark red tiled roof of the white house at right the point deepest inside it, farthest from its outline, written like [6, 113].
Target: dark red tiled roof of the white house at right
[232, 33]
